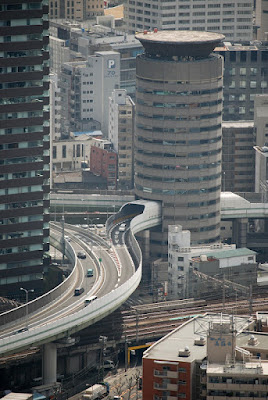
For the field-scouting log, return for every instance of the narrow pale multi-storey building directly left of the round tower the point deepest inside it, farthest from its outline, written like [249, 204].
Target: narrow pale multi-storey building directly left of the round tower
[121, 134]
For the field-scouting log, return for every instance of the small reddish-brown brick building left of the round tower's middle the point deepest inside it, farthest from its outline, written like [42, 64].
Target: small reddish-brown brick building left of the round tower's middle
[103, 162]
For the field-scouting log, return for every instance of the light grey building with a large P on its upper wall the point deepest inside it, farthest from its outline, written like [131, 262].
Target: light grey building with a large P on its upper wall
[85, 89]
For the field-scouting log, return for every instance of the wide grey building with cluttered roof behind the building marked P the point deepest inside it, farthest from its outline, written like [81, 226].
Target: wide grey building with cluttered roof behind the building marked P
[70, 39]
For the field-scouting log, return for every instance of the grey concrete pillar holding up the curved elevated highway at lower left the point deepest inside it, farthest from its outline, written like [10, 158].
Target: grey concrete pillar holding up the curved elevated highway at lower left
[49, 363]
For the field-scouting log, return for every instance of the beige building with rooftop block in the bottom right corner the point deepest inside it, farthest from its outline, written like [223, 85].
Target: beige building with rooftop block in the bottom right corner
[234, 371]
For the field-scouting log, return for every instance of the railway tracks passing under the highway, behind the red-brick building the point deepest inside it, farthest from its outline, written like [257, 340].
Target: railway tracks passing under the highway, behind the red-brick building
[140, 323]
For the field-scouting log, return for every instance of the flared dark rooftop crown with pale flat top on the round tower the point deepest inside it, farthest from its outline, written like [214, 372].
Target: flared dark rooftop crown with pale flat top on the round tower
[179, 43]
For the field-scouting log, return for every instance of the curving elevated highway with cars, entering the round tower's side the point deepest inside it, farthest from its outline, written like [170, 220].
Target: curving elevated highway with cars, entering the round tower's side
[50, 319]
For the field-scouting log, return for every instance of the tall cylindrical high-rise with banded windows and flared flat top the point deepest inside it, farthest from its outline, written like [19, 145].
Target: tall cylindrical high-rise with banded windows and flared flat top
[178, 138]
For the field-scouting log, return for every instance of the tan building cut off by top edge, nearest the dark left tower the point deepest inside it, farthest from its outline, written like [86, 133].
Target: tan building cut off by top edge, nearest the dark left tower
[78, 10]
